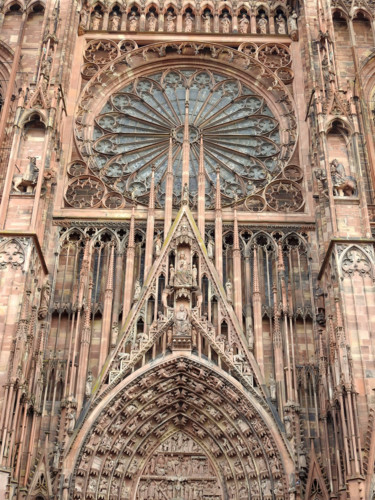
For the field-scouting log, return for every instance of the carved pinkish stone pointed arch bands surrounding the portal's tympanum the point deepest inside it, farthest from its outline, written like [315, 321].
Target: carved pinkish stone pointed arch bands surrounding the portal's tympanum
[122, 430]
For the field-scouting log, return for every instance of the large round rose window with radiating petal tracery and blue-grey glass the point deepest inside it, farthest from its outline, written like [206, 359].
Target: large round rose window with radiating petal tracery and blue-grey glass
[153, 118]
